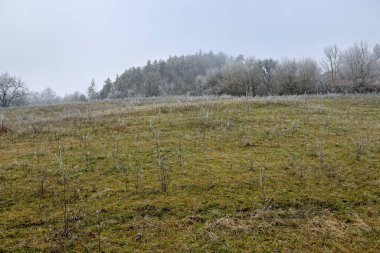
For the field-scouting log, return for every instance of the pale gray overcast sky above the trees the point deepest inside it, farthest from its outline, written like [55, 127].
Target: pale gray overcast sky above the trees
[63, 44]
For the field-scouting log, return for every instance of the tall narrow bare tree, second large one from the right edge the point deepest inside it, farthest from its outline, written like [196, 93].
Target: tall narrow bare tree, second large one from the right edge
[331, 63]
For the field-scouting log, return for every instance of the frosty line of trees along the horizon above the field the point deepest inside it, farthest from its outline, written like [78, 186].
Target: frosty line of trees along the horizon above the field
[355, 69]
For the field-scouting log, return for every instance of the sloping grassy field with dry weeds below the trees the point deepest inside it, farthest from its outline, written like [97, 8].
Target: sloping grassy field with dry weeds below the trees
[287, 174]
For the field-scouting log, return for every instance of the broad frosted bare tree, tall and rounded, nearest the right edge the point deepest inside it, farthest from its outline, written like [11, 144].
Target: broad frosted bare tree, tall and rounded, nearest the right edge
[359, 64]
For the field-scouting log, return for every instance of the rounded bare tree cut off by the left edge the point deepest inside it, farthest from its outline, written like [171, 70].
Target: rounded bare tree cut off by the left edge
[12, 90]
